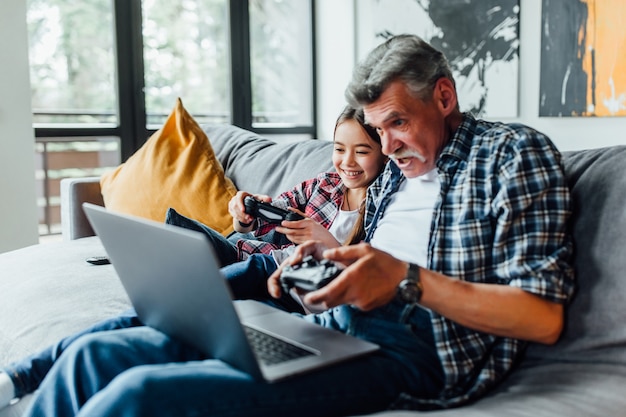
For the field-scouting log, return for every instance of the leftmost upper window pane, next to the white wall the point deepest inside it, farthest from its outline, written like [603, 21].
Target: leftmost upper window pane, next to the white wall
[72, 63]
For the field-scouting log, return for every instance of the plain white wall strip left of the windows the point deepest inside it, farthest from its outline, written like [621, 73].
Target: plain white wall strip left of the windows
[18, 213]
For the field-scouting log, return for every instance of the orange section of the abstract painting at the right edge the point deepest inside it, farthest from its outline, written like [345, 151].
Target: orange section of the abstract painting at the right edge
[605, 59]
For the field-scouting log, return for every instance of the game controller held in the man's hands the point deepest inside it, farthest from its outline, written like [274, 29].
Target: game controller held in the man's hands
[309, 275]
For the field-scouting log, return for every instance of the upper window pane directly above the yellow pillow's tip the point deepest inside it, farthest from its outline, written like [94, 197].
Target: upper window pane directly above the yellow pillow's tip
[186, 54]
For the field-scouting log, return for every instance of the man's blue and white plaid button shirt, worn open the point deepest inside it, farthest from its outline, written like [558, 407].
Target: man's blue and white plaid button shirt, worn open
[501, 218]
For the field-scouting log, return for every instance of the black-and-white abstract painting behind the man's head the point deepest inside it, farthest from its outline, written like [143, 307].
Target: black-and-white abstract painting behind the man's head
[480, 38]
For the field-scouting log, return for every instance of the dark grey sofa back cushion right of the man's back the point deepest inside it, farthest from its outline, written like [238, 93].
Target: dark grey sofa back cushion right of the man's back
[595, 329]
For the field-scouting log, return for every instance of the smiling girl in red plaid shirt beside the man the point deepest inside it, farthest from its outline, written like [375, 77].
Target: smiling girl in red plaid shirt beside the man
[332, 204]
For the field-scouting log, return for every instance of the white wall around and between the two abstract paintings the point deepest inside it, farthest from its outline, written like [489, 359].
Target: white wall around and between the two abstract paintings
[336, 57]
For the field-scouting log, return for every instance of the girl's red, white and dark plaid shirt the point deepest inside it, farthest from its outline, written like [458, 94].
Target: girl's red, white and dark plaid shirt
[320, 198]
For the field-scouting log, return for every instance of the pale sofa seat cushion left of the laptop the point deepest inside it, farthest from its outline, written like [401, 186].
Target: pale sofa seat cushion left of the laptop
[49, 291]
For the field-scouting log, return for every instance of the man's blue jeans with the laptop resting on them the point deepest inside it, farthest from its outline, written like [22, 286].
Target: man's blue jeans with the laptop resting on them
[142, 372]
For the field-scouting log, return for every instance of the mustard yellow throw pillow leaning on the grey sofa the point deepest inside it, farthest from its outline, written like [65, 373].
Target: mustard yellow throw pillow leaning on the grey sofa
[176, 168]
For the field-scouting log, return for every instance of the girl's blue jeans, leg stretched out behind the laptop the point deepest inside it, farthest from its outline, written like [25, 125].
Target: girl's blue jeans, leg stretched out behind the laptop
[247, 280]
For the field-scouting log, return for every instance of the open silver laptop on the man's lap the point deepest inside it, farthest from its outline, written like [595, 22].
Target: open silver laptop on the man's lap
[175, 285]
